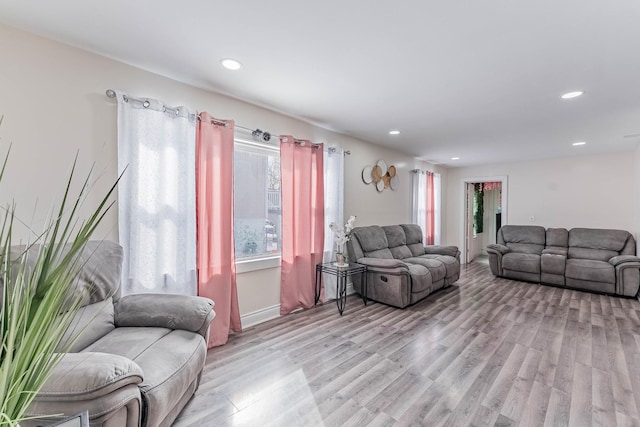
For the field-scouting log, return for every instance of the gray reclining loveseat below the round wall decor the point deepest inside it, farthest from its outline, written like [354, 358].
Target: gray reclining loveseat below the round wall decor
[400, 269]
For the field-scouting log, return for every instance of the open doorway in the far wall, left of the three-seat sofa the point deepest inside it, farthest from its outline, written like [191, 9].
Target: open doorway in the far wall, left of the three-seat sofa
[484, 210]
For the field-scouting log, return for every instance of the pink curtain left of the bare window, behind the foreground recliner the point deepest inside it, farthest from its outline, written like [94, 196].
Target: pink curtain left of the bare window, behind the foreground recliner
[214, 212]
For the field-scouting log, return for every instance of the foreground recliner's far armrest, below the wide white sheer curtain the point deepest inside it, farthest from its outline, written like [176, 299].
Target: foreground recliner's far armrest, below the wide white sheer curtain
[183, 312]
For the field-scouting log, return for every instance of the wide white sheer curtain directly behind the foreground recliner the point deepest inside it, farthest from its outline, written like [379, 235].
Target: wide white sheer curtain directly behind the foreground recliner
[156, 197]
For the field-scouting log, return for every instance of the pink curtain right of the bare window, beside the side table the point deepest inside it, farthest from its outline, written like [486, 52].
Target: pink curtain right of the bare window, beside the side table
[302, 187]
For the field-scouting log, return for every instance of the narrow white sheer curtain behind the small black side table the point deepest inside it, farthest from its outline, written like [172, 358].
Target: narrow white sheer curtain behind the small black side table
[333, 209]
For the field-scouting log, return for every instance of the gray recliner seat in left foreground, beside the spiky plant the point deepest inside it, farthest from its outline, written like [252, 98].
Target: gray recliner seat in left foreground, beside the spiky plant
[136, 360]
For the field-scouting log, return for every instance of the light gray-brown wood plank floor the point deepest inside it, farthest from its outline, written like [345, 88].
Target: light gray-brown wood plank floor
[485, 351]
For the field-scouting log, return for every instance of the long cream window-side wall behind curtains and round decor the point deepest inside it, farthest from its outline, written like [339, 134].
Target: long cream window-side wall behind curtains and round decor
[53, 100]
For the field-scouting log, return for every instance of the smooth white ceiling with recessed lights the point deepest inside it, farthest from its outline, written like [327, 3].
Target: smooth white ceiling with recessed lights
[476, 79]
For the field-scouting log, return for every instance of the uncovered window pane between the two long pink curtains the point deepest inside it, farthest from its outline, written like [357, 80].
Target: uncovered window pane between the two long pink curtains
[257, 201]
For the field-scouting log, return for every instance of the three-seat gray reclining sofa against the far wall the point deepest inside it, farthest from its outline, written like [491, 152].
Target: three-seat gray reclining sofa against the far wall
[598, 260]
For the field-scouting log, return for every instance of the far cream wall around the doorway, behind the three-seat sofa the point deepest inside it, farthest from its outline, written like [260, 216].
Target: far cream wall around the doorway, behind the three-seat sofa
[583, 191]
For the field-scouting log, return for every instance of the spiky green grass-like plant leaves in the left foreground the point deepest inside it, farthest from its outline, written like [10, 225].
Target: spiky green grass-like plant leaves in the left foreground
[38, 302]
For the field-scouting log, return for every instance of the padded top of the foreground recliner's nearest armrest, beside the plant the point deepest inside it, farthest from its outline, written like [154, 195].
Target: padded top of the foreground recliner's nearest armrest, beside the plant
[89, 375]
